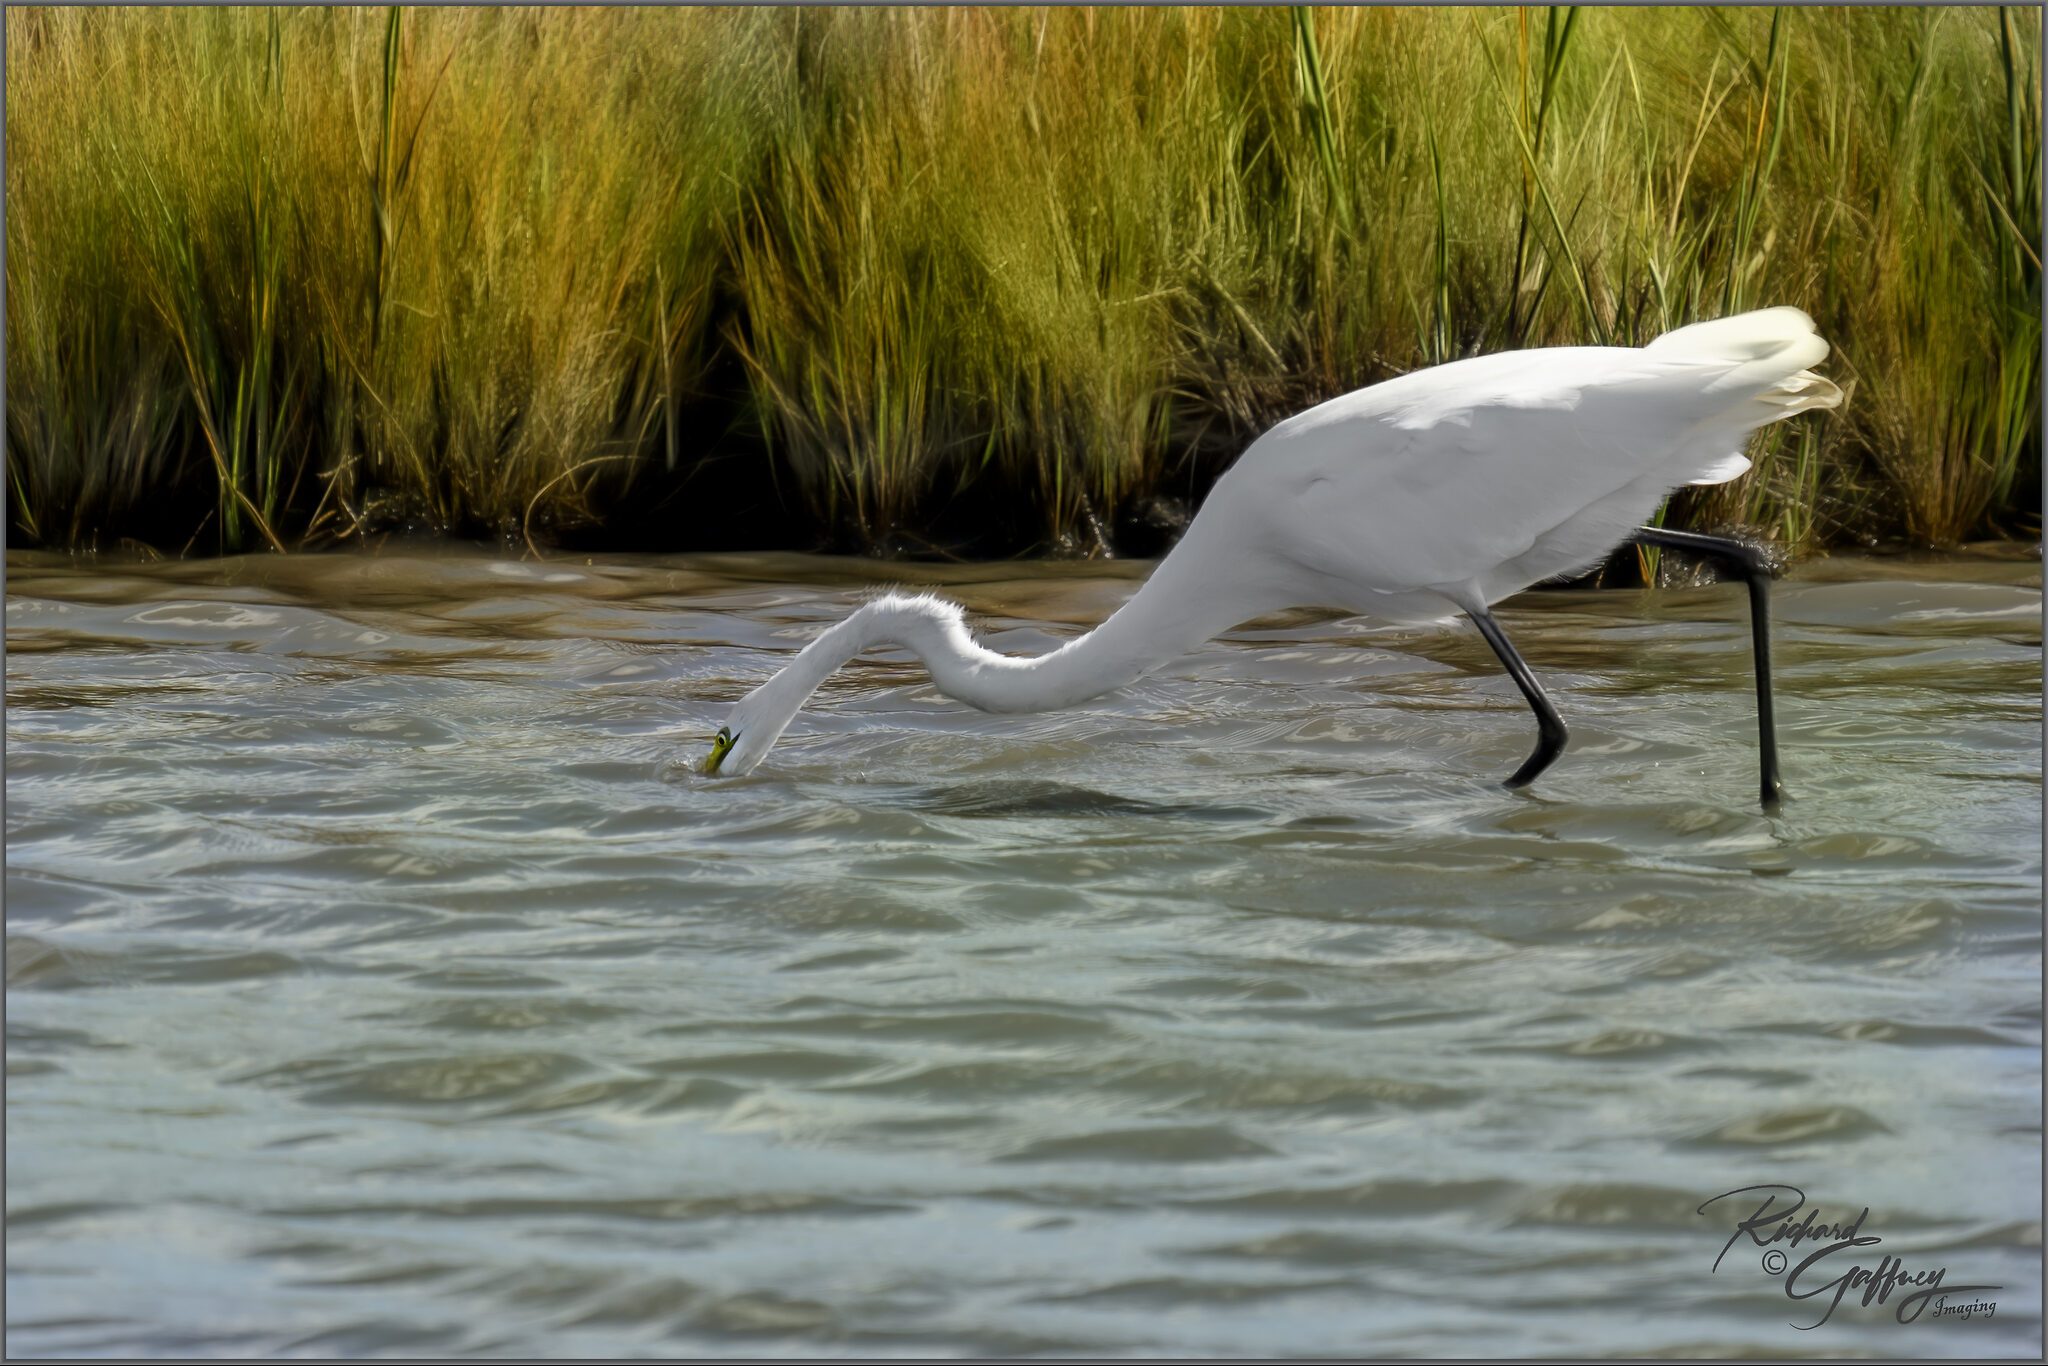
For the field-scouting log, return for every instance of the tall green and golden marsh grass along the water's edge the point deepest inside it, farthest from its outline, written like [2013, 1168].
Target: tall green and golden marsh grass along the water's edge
[296, 275]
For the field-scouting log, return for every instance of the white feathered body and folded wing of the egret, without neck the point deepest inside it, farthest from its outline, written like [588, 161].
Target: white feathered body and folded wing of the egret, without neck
[1535, 460]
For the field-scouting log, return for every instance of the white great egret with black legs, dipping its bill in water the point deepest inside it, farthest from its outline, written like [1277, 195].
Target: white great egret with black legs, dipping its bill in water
[1431, 495]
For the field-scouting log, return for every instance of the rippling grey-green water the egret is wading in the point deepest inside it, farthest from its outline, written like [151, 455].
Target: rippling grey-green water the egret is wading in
[384, 980]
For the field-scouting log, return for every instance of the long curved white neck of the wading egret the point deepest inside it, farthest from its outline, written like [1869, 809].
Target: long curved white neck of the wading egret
[1170, 615]
